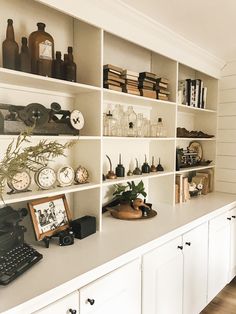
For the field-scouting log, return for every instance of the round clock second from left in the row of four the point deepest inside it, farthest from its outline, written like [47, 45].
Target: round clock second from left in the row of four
[45, 178]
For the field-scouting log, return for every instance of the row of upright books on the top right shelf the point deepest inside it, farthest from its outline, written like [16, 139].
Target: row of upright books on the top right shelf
[192, 93]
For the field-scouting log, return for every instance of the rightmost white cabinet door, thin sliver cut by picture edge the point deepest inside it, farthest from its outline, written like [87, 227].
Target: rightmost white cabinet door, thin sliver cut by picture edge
[232, 270]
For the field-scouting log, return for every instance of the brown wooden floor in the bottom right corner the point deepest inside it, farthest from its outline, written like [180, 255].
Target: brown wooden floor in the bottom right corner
[224, 302]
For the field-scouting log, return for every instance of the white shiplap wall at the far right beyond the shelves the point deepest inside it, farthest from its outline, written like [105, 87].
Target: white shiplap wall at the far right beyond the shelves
[226, 137]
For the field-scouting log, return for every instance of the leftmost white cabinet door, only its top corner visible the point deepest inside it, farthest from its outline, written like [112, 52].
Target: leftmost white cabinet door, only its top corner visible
[67, 305]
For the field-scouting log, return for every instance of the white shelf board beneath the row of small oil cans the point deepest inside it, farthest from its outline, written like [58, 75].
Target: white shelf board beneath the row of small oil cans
[136, 178]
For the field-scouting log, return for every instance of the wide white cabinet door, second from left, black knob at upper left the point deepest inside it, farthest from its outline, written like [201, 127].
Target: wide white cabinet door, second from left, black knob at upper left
[118, 292]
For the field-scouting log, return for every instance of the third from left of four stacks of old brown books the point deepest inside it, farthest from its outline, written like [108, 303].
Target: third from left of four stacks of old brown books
[147, 84]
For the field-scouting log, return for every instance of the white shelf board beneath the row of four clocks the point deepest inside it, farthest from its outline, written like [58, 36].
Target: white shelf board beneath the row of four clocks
[31, 195]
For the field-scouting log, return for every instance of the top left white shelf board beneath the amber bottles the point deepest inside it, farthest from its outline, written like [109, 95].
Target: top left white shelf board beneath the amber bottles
[28, 80]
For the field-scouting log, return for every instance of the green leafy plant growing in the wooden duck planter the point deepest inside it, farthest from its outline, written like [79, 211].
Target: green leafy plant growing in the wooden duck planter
[129, 192]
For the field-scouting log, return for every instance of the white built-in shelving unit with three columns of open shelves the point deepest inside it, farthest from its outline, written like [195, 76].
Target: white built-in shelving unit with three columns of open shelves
[94, 47]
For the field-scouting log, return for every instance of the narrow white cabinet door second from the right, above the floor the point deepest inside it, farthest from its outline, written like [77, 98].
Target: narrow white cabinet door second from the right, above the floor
[219, 246]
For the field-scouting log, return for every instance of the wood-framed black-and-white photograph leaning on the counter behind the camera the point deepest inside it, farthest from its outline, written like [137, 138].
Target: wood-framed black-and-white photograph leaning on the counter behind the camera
[49, 215]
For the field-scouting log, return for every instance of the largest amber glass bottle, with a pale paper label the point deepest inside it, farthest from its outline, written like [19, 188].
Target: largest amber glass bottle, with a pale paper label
[41, 45]
